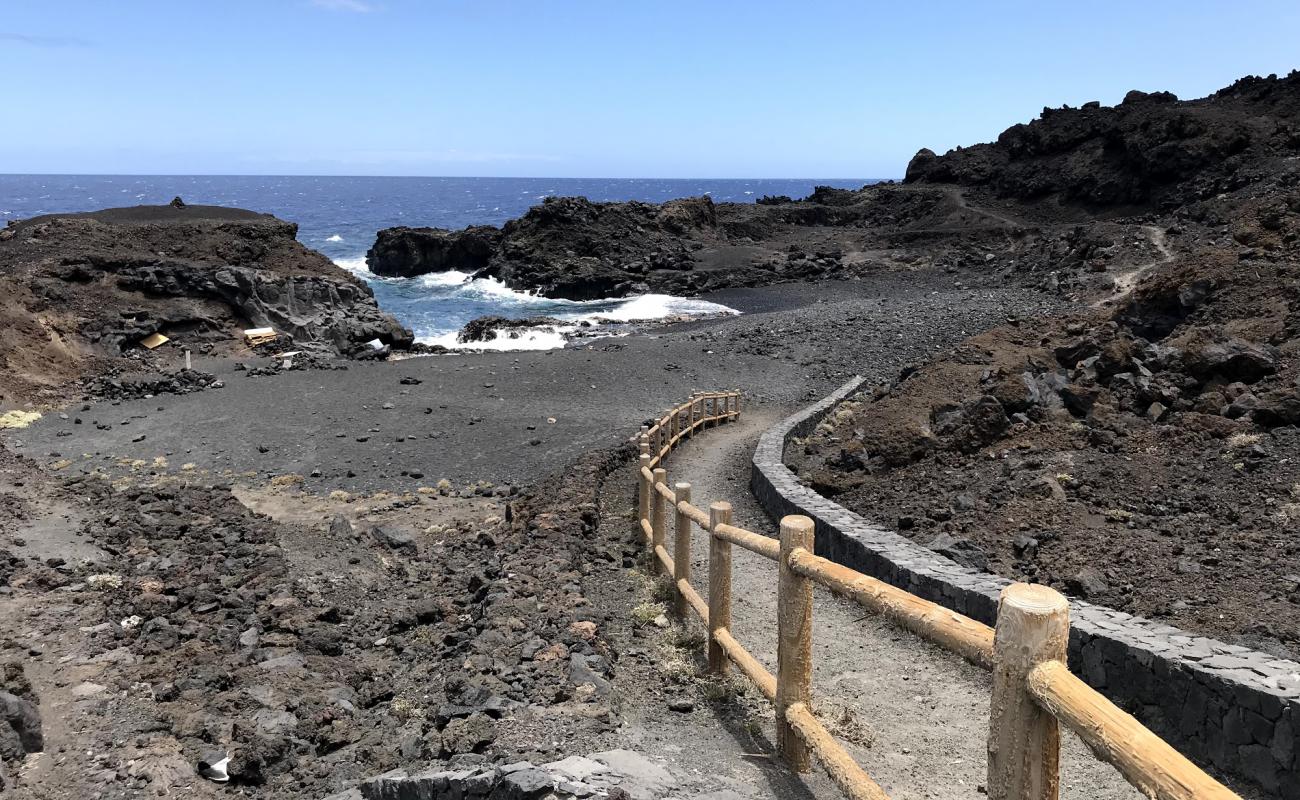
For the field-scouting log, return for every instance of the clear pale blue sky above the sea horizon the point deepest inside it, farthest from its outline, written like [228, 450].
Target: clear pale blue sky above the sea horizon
[584, 88]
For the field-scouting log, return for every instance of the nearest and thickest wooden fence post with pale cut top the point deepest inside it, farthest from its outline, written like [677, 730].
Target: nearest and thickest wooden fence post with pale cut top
[1024, 740]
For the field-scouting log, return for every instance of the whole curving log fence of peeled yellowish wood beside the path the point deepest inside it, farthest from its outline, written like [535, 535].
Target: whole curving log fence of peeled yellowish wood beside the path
[1033, 689]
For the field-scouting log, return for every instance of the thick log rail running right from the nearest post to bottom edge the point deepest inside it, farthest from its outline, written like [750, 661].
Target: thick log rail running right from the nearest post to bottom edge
[1155, 768]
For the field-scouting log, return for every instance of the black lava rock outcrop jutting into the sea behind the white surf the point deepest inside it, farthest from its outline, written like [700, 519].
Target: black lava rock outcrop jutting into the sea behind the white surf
[575, 249]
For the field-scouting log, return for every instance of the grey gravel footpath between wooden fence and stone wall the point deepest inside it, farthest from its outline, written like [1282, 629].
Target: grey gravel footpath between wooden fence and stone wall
[913, 716]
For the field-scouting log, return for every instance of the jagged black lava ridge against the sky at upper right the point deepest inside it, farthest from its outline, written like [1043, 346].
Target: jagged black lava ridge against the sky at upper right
[1152, 150]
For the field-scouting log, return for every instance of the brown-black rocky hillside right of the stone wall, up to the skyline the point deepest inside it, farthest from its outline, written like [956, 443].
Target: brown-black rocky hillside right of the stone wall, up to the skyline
[1141, 452]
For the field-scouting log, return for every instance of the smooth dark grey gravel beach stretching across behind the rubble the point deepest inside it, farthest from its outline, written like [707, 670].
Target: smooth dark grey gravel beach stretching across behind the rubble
[489, 418]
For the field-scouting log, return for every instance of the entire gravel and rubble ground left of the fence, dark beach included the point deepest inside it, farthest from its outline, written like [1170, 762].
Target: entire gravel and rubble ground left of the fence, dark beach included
[330, 574]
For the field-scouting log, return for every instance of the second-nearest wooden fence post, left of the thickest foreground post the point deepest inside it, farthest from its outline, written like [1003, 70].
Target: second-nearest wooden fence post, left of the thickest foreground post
[794, 642]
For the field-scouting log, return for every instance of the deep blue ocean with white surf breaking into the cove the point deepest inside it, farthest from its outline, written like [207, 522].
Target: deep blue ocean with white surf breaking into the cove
[341, 215]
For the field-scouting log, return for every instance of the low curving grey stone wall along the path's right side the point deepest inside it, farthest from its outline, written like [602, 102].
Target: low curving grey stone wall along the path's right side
[1224, 706]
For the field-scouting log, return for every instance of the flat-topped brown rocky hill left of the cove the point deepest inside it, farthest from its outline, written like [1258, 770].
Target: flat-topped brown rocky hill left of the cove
[83, 291]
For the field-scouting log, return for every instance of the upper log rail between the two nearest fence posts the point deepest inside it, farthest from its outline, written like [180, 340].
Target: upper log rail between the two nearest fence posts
[963, 635]
